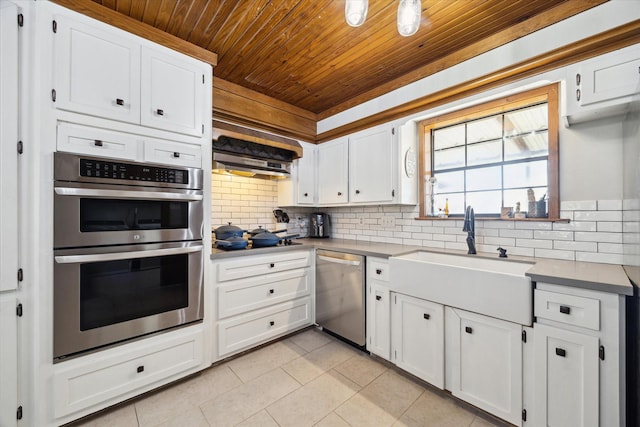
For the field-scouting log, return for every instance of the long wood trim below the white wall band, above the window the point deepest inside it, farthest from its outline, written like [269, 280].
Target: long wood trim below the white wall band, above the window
[599, 44]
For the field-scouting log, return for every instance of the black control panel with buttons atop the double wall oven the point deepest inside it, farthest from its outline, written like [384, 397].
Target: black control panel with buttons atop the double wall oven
[132, 172]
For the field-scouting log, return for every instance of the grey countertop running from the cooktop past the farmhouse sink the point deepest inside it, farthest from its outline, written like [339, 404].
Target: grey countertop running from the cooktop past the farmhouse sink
[598, 277]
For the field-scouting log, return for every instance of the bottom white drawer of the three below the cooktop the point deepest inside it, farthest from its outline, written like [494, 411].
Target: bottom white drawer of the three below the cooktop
[246, 330]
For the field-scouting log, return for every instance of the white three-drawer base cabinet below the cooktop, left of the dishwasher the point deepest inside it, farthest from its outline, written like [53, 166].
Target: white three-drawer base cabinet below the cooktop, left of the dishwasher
[261, 297]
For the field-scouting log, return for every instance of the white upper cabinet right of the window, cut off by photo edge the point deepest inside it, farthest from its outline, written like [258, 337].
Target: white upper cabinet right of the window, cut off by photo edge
[602, 86]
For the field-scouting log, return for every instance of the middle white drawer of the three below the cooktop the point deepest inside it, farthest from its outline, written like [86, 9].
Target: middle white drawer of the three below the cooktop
[241, 296]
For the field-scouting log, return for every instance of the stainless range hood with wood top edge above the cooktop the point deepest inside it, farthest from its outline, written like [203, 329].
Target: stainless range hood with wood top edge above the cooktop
[251, 154]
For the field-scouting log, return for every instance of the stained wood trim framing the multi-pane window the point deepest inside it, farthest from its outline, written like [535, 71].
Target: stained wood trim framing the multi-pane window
[548, 94]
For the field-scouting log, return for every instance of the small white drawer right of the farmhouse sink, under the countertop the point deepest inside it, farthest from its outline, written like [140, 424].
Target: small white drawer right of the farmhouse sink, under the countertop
[569, 309]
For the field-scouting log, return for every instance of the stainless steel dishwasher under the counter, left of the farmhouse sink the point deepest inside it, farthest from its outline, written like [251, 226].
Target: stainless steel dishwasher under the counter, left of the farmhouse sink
[340, 293]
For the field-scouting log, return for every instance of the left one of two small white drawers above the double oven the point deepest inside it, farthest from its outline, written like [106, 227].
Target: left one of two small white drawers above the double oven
[96, 142]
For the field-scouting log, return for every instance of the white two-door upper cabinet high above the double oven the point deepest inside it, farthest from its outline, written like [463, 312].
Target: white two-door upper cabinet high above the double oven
[103, 72]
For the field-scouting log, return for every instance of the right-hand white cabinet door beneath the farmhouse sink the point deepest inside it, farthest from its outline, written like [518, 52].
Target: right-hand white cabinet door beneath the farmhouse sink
[486, 359]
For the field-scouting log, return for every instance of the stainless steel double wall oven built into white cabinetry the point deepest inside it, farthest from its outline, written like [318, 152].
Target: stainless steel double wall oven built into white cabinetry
[128, 252]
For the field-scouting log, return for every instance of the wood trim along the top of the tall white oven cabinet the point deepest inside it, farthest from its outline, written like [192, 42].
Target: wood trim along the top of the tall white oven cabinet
[124, 22]
